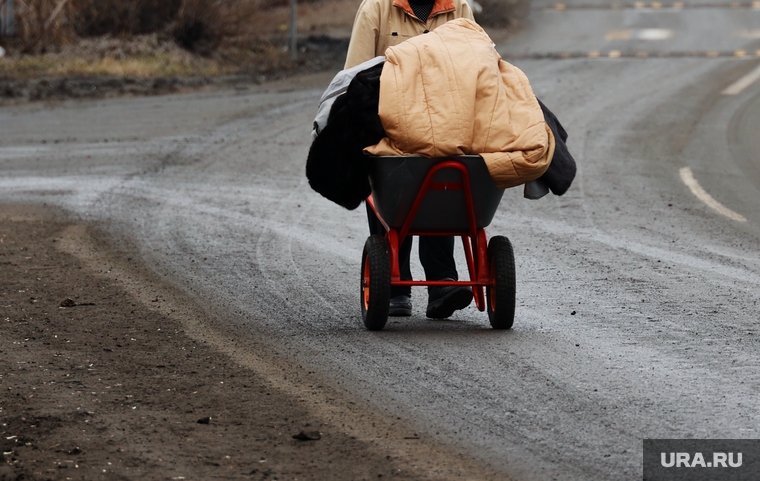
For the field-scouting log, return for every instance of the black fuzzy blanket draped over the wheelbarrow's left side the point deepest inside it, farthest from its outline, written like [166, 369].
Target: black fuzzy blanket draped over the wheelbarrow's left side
[336, 166]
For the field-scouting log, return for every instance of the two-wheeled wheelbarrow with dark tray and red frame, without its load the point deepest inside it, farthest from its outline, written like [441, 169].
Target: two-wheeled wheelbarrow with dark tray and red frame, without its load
[448, 196]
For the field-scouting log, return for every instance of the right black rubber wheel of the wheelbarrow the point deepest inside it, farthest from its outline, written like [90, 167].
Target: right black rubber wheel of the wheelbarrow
[501, 296]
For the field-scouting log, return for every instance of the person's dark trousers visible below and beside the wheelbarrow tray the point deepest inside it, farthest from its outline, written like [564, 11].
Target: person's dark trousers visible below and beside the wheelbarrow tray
[436, 256]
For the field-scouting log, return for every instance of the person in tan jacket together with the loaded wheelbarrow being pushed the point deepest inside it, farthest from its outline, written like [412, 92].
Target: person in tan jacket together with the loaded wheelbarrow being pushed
[434, 129]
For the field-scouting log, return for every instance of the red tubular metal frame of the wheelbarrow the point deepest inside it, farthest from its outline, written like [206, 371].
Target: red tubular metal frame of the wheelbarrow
[474, 239]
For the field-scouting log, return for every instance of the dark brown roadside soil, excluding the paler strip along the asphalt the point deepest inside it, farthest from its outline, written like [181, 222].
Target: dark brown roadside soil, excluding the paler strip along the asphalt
[110, 389]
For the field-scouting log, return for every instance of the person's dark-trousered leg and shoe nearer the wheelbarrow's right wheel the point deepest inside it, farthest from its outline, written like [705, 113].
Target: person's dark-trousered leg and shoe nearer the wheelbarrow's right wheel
[437, 257]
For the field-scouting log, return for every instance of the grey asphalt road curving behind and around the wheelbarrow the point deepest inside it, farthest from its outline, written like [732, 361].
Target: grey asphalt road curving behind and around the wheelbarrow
[637, 301]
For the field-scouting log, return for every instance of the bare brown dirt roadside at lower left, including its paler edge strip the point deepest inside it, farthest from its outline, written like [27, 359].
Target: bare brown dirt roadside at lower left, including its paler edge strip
[131, 380]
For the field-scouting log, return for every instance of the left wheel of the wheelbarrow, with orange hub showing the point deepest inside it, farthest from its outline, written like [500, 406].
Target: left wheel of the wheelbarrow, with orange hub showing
[376, 282]
